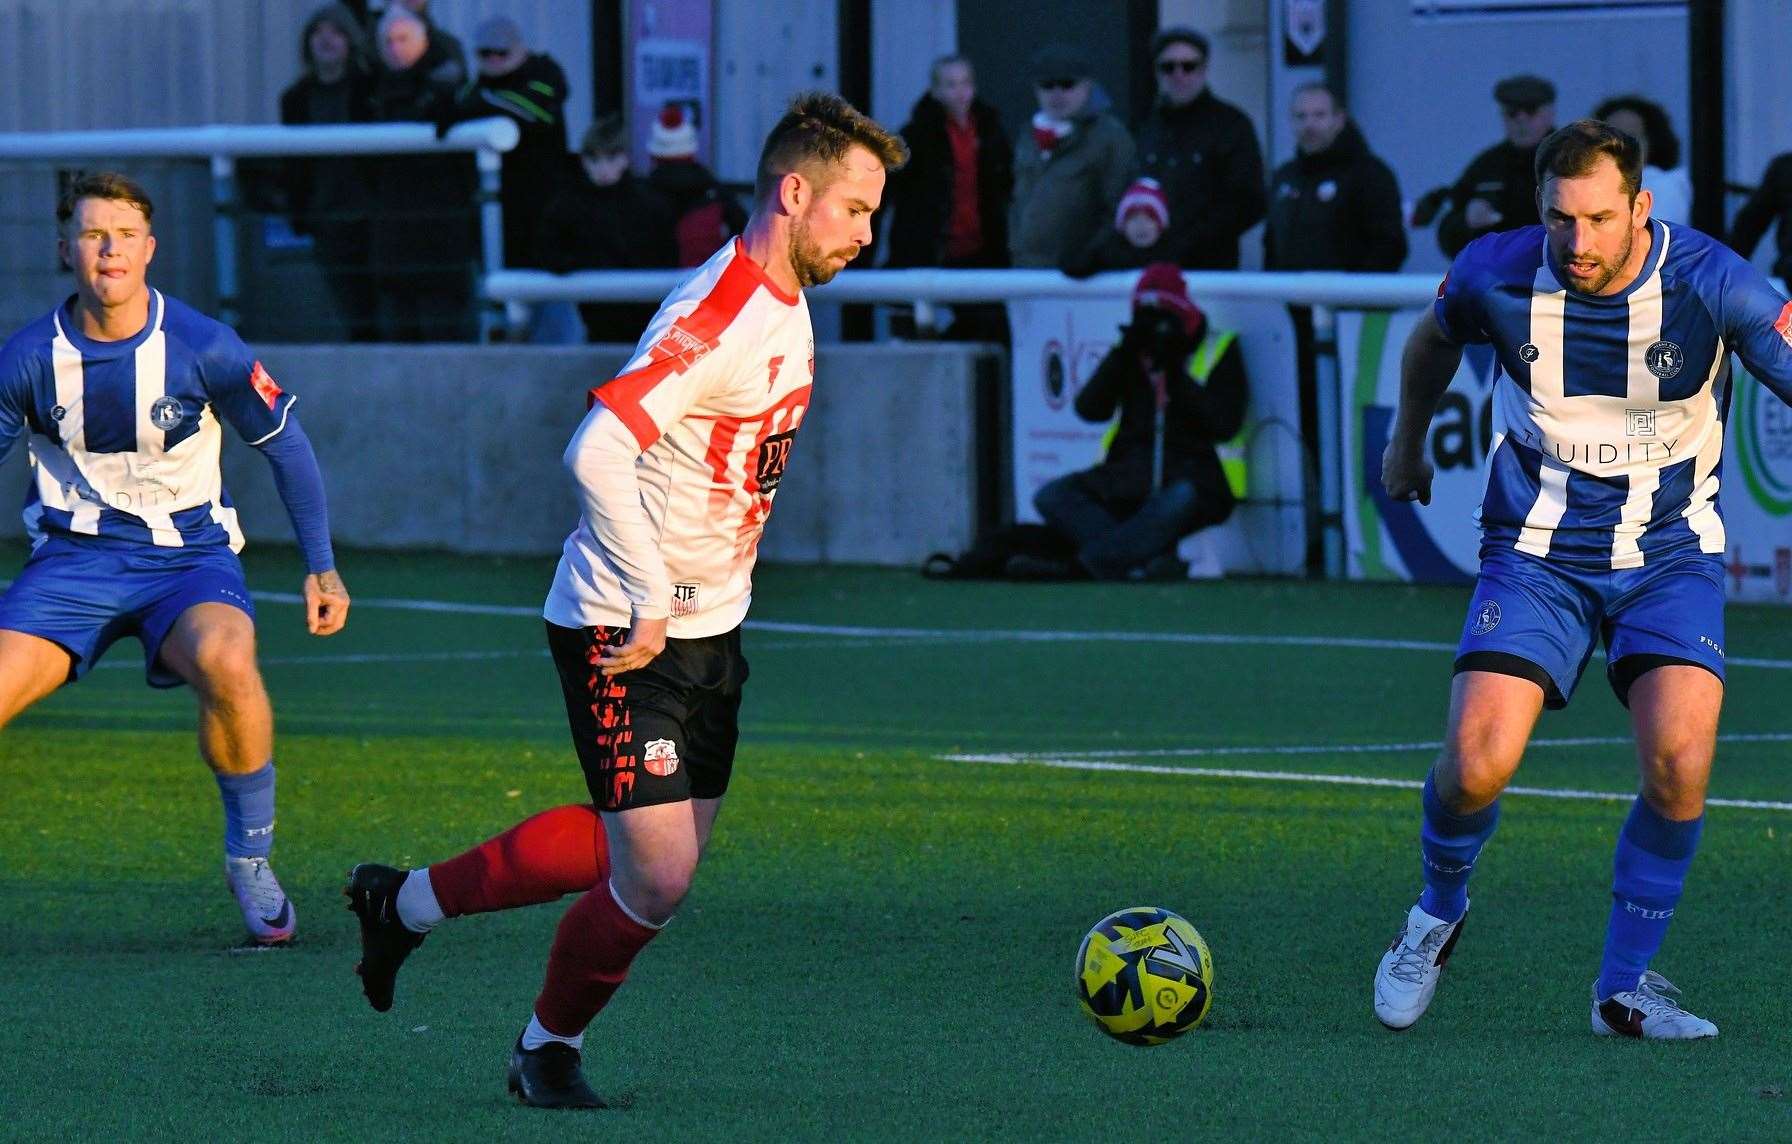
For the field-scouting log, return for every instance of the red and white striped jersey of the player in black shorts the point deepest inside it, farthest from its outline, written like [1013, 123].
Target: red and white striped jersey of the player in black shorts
[714, 397]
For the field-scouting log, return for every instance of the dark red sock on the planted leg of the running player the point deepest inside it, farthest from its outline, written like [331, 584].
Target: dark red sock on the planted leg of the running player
[592, 951]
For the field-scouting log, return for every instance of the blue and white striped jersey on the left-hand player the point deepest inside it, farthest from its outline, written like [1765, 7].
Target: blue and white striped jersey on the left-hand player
[125, 437]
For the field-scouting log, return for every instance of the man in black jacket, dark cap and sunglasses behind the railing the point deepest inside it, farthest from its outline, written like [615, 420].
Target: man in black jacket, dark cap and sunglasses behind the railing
[1205, 155]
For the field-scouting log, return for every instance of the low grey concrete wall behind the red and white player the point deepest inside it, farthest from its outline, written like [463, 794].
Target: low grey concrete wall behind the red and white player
[460, 447]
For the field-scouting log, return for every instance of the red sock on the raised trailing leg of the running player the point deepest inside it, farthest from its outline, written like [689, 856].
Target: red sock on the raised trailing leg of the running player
[540, 860]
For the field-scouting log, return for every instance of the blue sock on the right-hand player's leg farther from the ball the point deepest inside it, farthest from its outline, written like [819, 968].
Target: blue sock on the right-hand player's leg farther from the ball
[1648, 876]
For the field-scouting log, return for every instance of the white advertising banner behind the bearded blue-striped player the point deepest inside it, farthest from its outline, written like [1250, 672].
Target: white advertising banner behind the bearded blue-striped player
[1442, 542]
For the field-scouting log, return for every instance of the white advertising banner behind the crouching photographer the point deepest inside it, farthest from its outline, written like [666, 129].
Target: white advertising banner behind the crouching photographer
[1058, 345]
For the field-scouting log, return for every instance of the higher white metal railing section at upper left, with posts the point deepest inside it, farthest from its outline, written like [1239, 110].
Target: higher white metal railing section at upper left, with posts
[223, 144]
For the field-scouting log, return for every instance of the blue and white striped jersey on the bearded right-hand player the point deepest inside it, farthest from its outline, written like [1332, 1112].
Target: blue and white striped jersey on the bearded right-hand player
[1610, 410]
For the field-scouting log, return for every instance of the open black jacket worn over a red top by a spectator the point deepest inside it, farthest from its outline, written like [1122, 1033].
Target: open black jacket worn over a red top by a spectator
[920, 195]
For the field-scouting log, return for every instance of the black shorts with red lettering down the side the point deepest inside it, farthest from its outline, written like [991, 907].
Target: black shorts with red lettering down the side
[659, 734]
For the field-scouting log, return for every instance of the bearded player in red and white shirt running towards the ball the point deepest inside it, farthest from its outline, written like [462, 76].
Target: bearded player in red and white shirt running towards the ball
[676, 464]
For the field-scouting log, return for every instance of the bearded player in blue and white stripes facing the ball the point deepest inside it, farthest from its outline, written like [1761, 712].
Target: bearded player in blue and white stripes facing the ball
[1601, 521]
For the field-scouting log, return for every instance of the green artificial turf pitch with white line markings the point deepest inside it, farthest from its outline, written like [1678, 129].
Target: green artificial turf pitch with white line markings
[881, 940]
